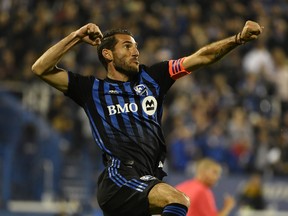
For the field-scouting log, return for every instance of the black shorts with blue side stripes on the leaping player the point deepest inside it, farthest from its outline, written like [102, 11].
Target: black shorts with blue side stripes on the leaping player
[123, 192]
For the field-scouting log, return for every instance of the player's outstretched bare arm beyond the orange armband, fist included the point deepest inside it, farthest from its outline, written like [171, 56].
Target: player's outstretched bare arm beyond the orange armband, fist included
[215, 51]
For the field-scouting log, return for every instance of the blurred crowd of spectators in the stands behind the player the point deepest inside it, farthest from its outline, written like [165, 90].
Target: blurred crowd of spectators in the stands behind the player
[235, 111]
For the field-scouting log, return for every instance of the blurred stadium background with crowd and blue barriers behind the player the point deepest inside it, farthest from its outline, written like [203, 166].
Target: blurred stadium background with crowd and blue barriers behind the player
[235, 111]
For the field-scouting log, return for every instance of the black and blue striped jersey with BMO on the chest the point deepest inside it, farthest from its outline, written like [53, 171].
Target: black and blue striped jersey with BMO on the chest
[125, 117]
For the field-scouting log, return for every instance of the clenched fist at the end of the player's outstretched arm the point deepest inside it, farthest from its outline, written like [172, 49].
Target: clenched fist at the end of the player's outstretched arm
[250, 31]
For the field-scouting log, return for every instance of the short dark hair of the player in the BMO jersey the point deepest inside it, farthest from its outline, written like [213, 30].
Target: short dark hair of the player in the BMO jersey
[109, 41]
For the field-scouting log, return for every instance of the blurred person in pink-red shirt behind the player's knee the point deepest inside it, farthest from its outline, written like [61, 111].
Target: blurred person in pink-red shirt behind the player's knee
[199, 191]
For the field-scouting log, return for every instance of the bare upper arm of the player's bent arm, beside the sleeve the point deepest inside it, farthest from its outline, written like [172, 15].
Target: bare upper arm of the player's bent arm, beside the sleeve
[57, 77]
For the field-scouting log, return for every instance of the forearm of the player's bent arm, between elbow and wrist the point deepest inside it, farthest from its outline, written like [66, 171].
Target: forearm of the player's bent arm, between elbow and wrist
[52, 56]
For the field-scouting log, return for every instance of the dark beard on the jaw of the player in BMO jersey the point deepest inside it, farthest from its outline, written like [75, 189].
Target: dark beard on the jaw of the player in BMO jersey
[126, 68]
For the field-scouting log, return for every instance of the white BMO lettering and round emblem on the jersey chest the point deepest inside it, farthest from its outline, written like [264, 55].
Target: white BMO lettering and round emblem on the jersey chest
[149, 106]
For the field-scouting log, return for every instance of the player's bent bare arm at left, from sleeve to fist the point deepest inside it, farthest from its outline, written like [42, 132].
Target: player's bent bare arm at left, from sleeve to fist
[46, 66]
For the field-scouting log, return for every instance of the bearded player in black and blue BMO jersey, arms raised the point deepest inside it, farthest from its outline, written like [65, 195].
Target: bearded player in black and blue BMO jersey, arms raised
[125, 111]
